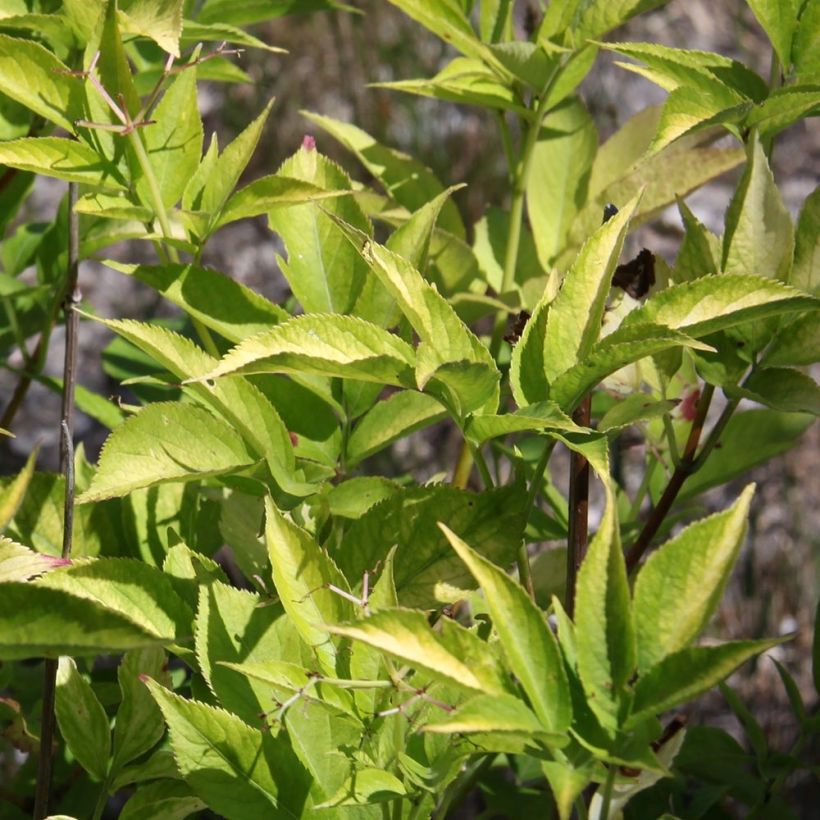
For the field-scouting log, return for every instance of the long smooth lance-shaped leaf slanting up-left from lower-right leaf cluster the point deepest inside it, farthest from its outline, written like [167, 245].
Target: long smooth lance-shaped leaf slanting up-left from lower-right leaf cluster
[527, 641]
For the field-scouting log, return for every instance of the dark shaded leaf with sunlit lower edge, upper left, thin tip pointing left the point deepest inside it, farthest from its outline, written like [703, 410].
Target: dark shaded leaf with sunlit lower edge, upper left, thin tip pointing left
[219, 302]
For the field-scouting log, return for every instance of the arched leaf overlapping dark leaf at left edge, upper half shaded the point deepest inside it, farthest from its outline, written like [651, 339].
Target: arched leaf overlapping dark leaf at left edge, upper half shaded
[131, 588]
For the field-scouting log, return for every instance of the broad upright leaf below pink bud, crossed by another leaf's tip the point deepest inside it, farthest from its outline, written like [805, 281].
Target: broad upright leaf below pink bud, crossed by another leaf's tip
[324, 271]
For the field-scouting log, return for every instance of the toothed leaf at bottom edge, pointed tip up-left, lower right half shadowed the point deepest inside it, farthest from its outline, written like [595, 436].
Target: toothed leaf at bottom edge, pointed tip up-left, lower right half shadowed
[237, 770]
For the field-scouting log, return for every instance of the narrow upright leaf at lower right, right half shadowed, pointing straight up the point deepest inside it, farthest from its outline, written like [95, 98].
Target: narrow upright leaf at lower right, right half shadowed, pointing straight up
[604, 627]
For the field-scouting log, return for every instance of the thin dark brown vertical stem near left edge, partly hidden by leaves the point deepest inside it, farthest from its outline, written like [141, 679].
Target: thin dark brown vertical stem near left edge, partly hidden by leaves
[72, 298]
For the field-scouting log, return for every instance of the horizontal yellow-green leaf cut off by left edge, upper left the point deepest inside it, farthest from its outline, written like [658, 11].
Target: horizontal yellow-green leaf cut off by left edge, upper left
[60, 158]
